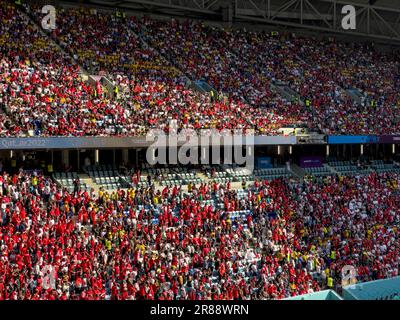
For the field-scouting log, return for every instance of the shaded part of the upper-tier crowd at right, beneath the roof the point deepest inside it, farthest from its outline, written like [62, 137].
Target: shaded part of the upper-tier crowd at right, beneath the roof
[243, 63]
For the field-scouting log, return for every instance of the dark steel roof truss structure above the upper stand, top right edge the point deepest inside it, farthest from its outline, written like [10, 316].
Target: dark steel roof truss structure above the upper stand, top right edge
[378, 19]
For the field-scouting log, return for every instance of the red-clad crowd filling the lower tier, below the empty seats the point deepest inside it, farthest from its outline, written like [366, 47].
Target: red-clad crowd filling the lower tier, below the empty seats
[144, 243]
